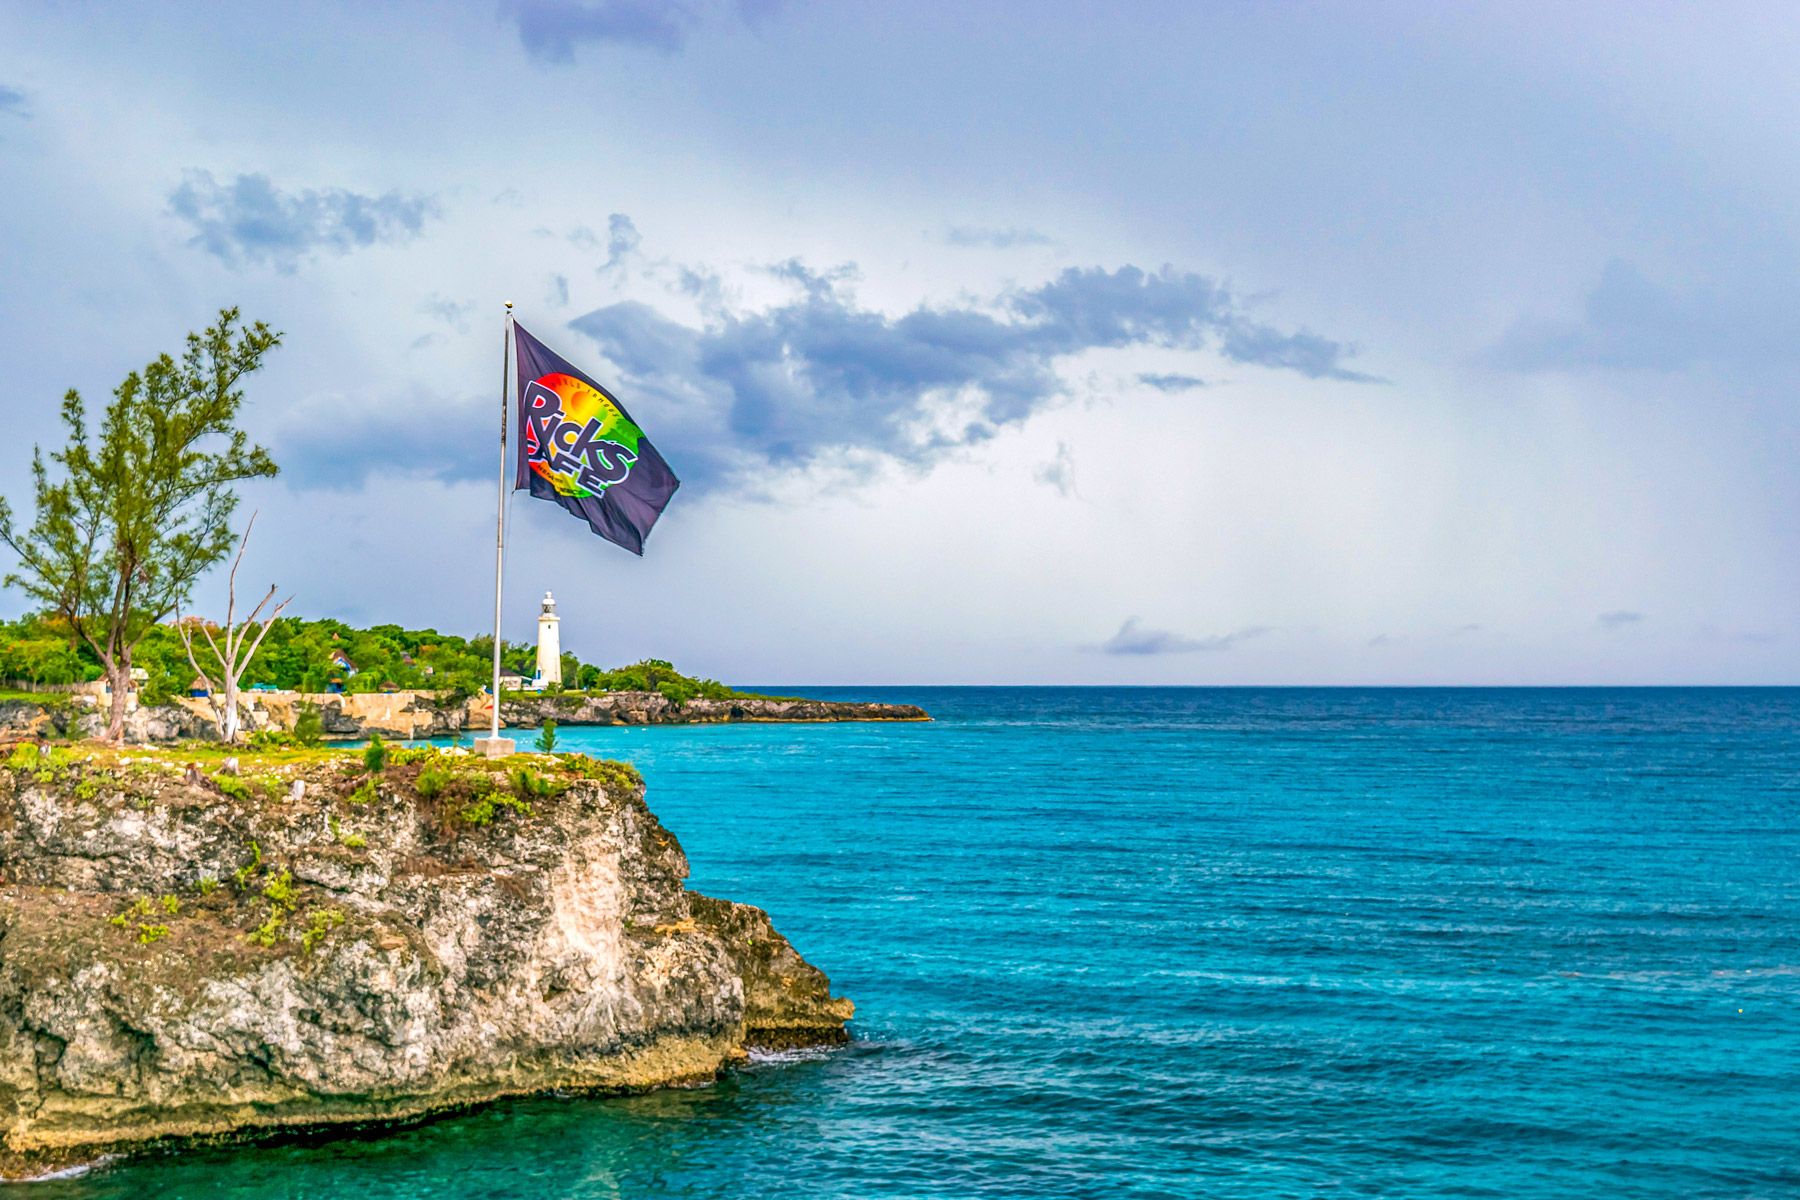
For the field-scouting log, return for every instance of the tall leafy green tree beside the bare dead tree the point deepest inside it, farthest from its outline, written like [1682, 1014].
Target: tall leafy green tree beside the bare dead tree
[143, 512]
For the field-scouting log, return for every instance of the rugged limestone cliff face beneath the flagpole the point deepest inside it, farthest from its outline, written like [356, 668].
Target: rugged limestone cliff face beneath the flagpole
[188, 956]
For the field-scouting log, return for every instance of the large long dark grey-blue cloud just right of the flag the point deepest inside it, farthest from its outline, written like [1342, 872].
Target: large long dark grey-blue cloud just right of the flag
[822, 377]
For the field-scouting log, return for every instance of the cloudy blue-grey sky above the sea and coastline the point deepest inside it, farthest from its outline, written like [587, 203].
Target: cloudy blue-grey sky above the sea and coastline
[994, 343]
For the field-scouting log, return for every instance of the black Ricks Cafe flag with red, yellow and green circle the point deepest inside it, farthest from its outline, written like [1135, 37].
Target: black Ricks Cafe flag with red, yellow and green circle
[580, 449]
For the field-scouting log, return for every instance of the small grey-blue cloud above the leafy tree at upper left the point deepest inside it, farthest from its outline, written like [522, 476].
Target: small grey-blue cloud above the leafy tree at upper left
[253, 220]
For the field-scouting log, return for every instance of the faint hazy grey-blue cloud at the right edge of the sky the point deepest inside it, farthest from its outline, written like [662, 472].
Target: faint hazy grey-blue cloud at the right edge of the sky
[1628, 323]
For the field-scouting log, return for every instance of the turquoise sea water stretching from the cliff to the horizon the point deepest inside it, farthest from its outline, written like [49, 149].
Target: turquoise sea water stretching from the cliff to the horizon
[1205, 944]
